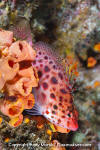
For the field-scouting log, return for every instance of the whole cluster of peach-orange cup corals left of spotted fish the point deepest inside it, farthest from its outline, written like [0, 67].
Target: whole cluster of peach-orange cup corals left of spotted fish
[17, 77]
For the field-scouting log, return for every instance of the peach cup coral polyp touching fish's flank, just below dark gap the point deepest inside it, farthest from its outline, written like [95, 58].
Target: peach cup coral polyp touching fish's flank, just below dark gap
[24, 84]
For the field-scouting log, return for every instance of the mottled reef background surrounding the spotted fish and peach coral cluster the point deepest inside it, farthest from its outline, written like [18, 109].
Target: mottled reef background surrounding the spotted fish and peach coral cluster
[72, 29]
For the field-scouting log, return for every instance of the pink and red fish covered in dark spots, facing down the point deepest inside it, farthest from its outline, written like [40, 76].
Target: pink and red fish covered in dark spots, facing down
[53, 95]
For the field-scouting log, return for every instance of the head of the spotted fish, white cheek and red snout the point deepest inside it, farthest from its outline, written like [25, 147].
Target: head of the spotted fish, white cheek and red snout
[63, 115]
